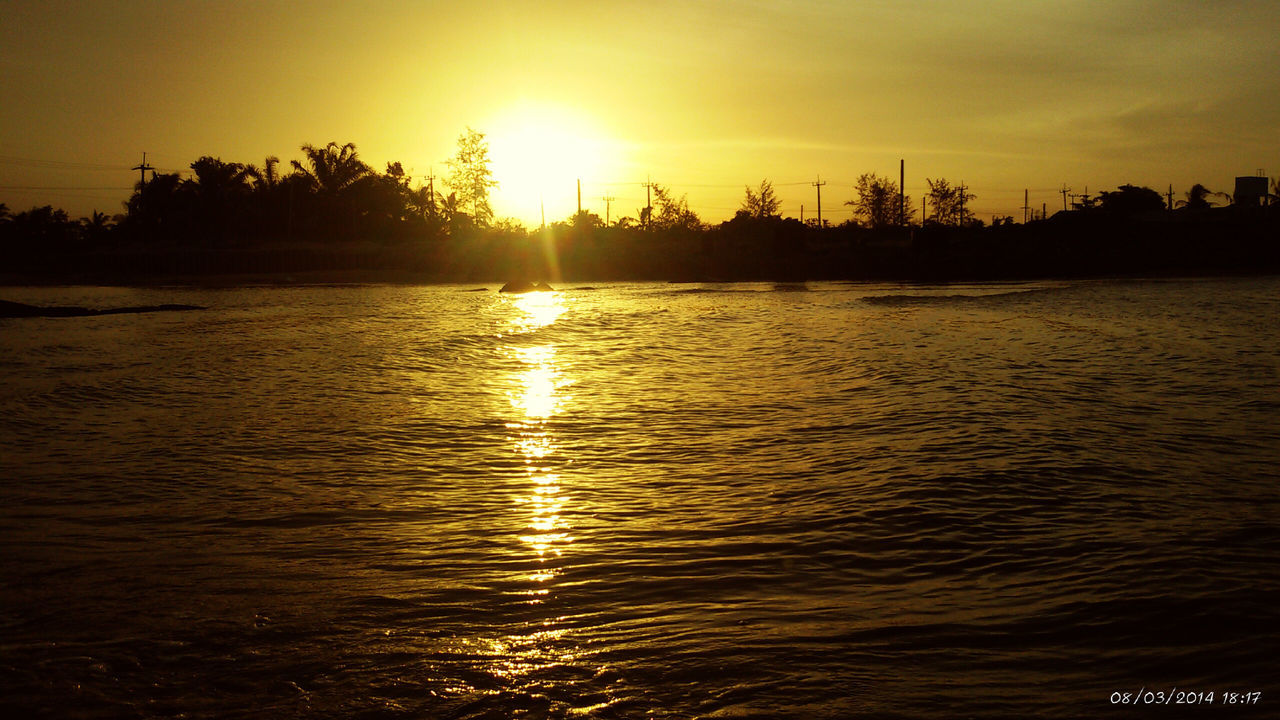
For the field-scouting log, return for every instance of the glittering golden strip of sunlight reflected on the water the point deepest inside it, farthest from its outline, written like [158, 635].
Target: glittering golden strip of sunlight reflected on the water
[537, 395]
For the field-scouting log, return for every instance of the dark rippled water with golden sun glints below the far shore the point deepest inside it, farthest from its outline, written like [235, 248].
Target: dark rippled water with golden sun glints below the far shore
[643, 502]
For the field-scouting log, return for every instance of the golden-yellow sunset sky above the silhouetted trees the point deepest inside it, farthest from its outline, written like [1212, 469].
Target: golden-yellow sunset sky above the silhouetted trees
[702, 97]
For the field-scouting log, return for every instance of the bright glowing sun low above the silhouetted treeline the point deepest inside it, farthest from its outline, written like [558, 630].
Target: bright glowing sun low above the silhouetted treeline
[540, 153]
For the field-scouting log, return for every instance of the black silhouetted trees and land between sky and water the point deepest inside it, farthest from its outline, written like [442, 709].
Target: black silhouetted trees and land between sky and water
[331, 217]
